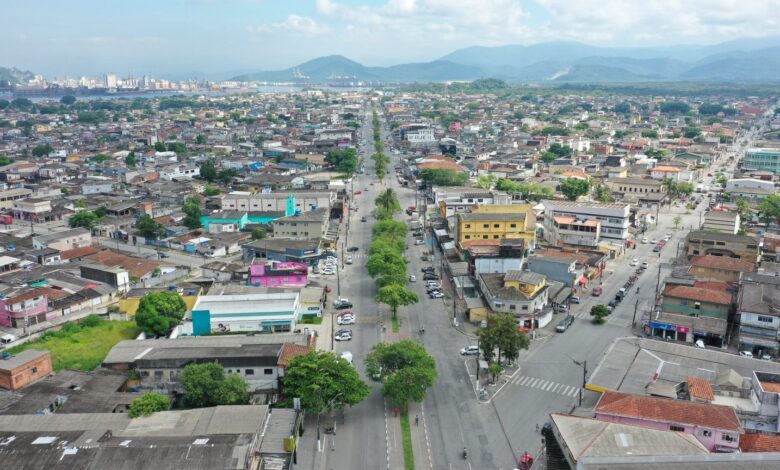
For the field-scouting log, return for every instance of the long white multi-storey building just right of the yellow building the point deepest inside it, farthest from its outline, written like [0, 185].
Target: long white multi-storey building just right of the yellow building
[586, 223]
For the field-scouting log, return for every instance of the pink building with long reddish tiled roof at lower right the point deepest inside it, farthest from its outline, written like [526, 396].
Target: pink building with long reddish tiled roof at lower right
[715, 426]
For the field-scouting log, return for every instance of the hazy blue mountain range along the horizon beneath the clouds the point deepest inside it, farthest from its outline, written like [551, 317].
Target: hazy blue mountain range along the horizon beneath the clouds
[741, 60]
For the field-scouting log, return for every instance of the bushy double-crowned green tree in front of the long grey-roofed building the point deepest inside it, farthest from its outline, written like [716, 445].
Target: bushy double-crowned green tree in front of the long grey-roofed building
[207, 385]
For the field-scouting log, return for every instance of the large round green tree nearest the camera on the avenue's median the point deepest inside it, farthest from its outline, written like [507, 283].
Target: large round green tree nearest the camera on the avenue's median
[405, 368]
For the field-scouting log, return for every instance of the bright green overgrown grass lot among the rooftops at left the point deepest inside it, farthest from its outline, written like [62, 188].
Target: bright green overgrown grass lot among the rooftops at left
[82, 347]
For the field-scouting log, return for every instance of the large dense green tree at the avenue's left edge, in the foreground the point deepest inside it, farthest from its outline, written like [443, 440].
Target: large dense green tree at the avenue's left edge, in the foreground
[323, 382]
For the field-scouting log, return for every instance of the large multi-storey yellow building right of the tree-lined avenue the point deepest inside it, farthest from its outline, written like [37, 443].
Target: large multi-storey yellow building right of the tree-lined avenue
[497, 222]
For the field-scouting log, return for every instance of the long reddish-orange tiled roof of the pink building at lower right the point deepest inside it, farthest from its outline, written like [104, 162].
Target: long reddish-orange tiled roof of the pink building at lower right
[668, 411]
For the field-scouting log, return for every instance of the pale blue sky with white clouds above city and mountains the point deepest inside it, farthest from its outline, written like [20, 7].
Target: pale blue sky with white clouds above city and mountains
[224, 37]
